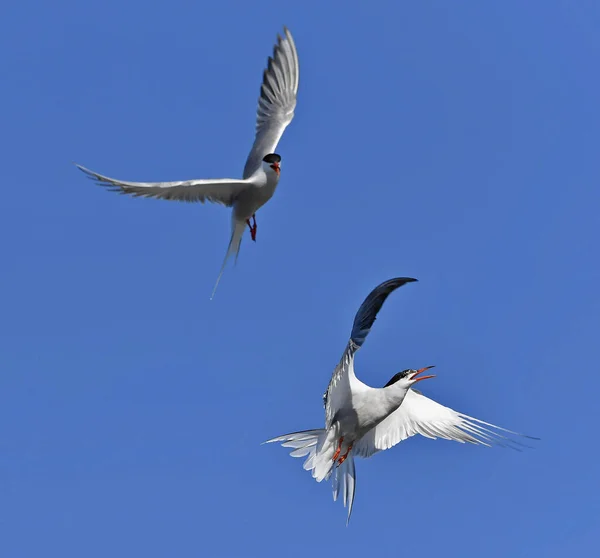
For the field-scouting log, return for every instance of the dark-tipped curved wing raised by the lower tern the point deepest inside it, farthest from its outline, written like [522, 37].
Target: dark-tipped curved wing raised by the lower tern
[339, 392]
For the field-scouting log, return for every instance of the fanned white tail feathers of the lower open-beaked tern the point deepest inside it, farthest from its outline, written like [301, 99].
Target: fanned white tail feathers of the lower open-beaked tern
[319, 447]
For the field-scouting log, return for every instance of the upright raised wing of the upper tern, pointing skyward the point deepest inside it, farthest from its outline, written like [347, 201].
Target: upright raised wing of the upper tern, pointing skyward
[276, 102]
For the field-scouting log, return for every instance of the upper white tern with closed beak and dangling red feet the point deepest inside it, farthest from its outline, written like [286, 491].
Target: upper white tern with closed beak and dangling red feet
[276, 105]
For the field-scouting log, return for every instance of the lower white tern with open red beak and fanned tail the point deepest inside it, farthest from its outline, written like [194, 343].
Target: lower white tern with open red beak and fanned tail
[361, 421]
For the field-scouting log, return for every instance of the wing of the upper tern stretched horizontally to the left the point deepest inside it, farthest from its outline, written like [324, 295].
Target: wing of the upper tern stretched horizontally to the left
[219, 190]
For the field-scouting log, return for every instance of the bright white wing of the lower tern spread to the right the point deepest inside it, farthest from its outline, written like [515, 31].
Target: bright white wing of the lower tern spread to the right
[420, 415]
